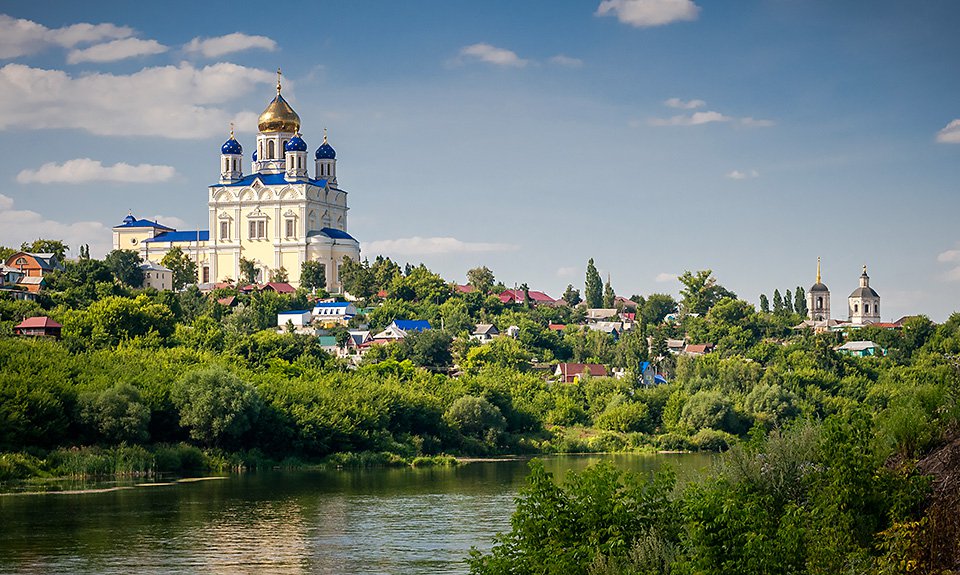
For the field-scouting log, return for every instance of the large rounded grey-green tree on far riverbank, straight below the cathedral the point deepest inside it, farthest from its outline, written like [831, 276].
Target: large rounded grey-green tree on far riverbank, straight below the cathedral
[216, 405]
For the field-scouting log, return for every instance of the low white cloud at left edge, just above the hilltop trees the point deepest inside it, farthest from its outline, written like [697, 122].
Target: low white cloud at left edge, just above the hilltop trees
[18, 226]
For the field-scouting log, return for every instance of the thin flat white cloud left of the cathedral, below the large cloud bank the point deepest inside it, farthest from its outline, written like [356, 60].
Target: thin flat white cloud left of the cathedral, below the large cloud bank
[84, 170]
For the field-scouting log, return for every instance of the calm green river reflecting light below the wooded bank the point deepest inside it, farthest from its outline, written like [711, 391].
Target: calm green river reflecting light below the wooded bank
[372, 521]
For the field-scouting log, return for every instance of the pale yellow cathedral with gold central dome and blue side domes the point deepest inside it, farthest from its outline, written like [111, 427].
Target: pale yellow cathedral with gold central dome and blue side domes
[276, 216]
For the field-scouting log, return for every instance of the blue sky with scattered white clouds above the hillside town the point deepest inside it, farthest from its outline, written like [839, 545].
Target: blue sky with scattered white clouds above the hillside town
[654, 136]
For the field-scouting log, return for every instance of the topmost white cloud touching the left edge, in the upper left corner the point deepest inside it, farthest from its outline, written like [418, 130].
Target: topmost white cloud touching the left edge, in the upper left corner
[19, 37]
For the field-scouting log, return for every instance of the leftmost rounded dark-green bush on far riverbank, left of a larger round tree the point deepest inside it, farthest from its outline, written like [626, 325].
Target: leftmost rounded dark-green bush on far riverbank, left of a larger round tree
[117, 413]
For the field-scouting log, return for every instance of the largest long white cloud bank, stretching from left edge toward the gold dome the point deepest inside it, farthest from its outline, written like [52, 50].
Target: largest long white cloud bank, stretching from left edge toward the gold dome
[169, 101]
